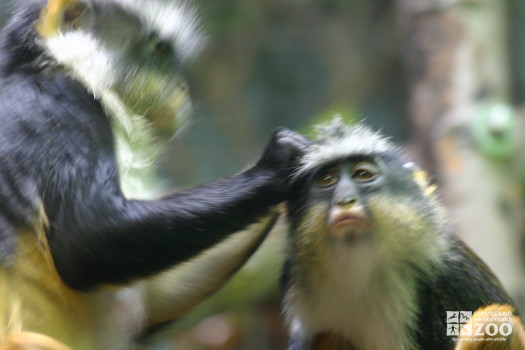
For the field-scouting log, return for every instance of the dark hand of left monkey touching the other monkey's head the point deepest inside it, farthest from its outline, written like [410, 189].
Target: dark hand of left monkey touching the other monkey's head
[282, 153]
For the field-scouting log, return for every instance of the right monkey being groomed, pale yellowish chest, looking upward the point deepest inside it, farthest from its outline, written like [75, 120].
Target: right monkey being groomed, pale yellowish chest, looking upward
[372, 261]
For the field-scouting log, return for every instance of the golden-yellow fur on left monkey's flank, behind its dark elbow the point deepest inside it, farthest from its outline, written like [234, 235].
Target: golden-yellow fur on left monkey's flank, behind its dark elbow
[33, 298]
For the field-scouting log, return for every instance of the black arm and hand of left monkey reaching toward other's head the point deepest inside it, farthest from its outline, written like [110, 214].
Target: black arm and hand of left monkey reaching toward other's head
[100, 237]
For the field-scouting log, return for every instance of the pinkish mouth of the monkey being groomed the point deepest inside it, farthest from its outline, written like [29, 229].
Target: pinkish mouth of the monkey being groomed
[349, 225]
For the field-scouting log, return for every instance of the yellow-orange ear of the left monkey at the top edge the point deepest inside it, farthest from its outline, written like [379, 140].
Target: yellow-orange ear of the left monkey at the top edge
[60, 14]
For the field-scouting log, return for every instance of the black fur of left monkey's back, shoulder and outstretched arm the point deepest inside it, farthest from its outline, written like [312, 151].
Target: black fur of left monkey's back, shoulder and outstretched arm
[57, 149]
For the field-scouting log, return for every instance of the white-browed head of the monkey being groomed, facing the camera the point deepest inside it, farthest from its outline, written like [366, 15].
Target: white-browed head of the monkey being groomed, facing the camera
[358, 194]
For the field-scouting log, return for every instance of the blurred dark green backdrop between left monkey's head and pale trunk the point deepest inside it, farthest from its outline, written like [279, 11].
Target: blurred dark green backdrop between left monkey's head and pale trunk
[287, 63]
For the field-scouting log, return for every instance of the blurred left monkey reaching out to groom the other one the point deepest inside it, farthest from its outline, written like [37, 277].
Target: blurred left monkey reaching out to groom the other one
[88, 260]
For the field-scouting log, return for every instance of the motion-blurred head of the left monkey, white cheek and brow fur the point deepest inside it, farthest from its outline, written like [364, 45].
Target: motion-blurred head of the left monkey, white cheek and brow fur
[126, 51]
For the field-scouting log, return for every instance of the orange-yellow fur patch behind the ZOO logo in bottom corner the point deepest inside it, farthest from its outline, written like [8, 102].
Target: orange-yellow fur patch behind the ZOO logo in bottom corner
[515, 340]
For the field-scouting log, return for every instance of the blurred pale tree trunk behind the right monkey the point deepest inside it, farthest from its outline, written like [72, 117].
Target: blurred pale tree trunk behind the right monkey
[457, 65]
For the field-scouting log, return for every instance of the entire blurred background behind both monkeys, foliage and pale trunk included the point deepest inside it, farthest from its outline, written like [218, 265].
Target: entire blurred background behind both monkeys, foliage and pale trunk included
[446, 78]
